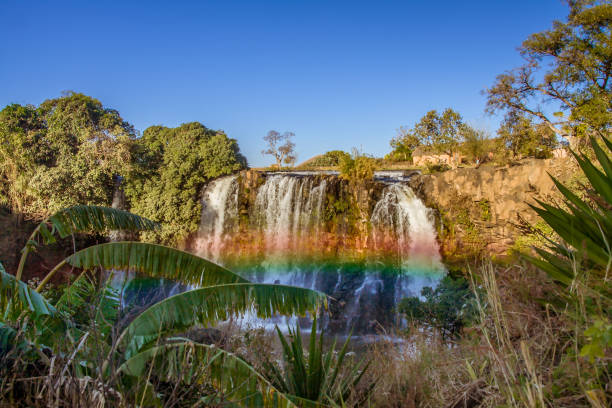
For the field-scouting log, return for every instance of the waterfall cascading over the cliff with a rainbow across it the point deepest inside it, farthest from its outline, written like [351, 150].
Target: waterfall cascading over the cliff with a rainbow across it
[289, 228]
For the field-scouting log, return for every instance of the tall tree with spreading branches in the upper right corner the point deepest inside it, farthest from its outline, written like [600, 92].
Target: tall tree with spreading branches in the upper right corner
[567, 66]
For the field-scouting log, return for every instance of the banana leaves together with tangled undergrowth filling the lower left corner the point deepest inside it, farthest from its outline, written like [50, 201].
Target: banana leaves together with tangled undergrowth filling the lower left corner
[123, 359]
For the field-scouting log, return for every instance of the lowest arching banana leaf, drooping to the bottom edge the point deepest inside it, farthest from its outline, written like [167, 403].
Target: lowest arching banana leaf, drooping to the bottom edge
[192, 362]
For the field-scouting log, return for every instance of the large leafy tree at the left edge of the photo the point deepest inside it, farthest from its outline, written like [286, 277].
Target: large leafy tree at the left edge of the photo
[66, 151]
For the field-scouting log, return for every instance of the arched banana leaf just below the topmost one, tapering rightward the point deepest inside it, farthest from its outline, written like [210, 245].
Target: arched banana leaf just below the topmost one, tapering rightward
[153, 260]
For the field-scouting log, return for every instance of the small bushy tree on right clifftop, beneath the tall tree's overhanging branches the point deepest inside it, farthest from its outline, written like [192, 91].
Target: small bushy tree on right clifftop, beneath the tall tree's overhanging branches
[520, 136]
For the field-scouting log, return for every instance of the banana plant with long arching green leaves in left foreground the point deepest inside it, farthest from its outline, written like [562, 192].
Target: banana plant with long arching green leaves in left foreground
[148, 342]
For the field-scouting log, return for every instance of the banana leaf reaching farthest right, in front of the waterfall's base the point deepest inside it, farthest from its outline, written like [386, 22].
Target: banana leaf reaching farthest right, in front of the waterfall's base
[212, 304]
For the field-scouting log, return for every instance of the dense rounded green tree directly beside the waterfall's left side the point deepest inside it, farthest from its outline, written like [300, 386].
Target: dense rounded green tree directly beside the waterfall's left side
[171, 167]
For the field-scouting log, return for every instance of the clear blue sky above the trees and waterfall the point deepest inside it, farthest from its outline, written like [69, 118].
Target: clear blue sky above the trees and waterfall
[337, 74]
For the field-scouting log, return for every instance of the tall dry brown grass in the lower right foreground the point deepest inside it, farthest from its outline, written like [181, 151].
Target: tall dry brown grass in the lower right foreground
[523, 353]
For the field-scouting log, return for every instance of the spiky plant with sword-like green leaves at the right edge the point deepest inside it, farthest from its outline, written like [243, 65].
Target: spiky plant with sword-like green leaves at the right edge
[581, 261]
